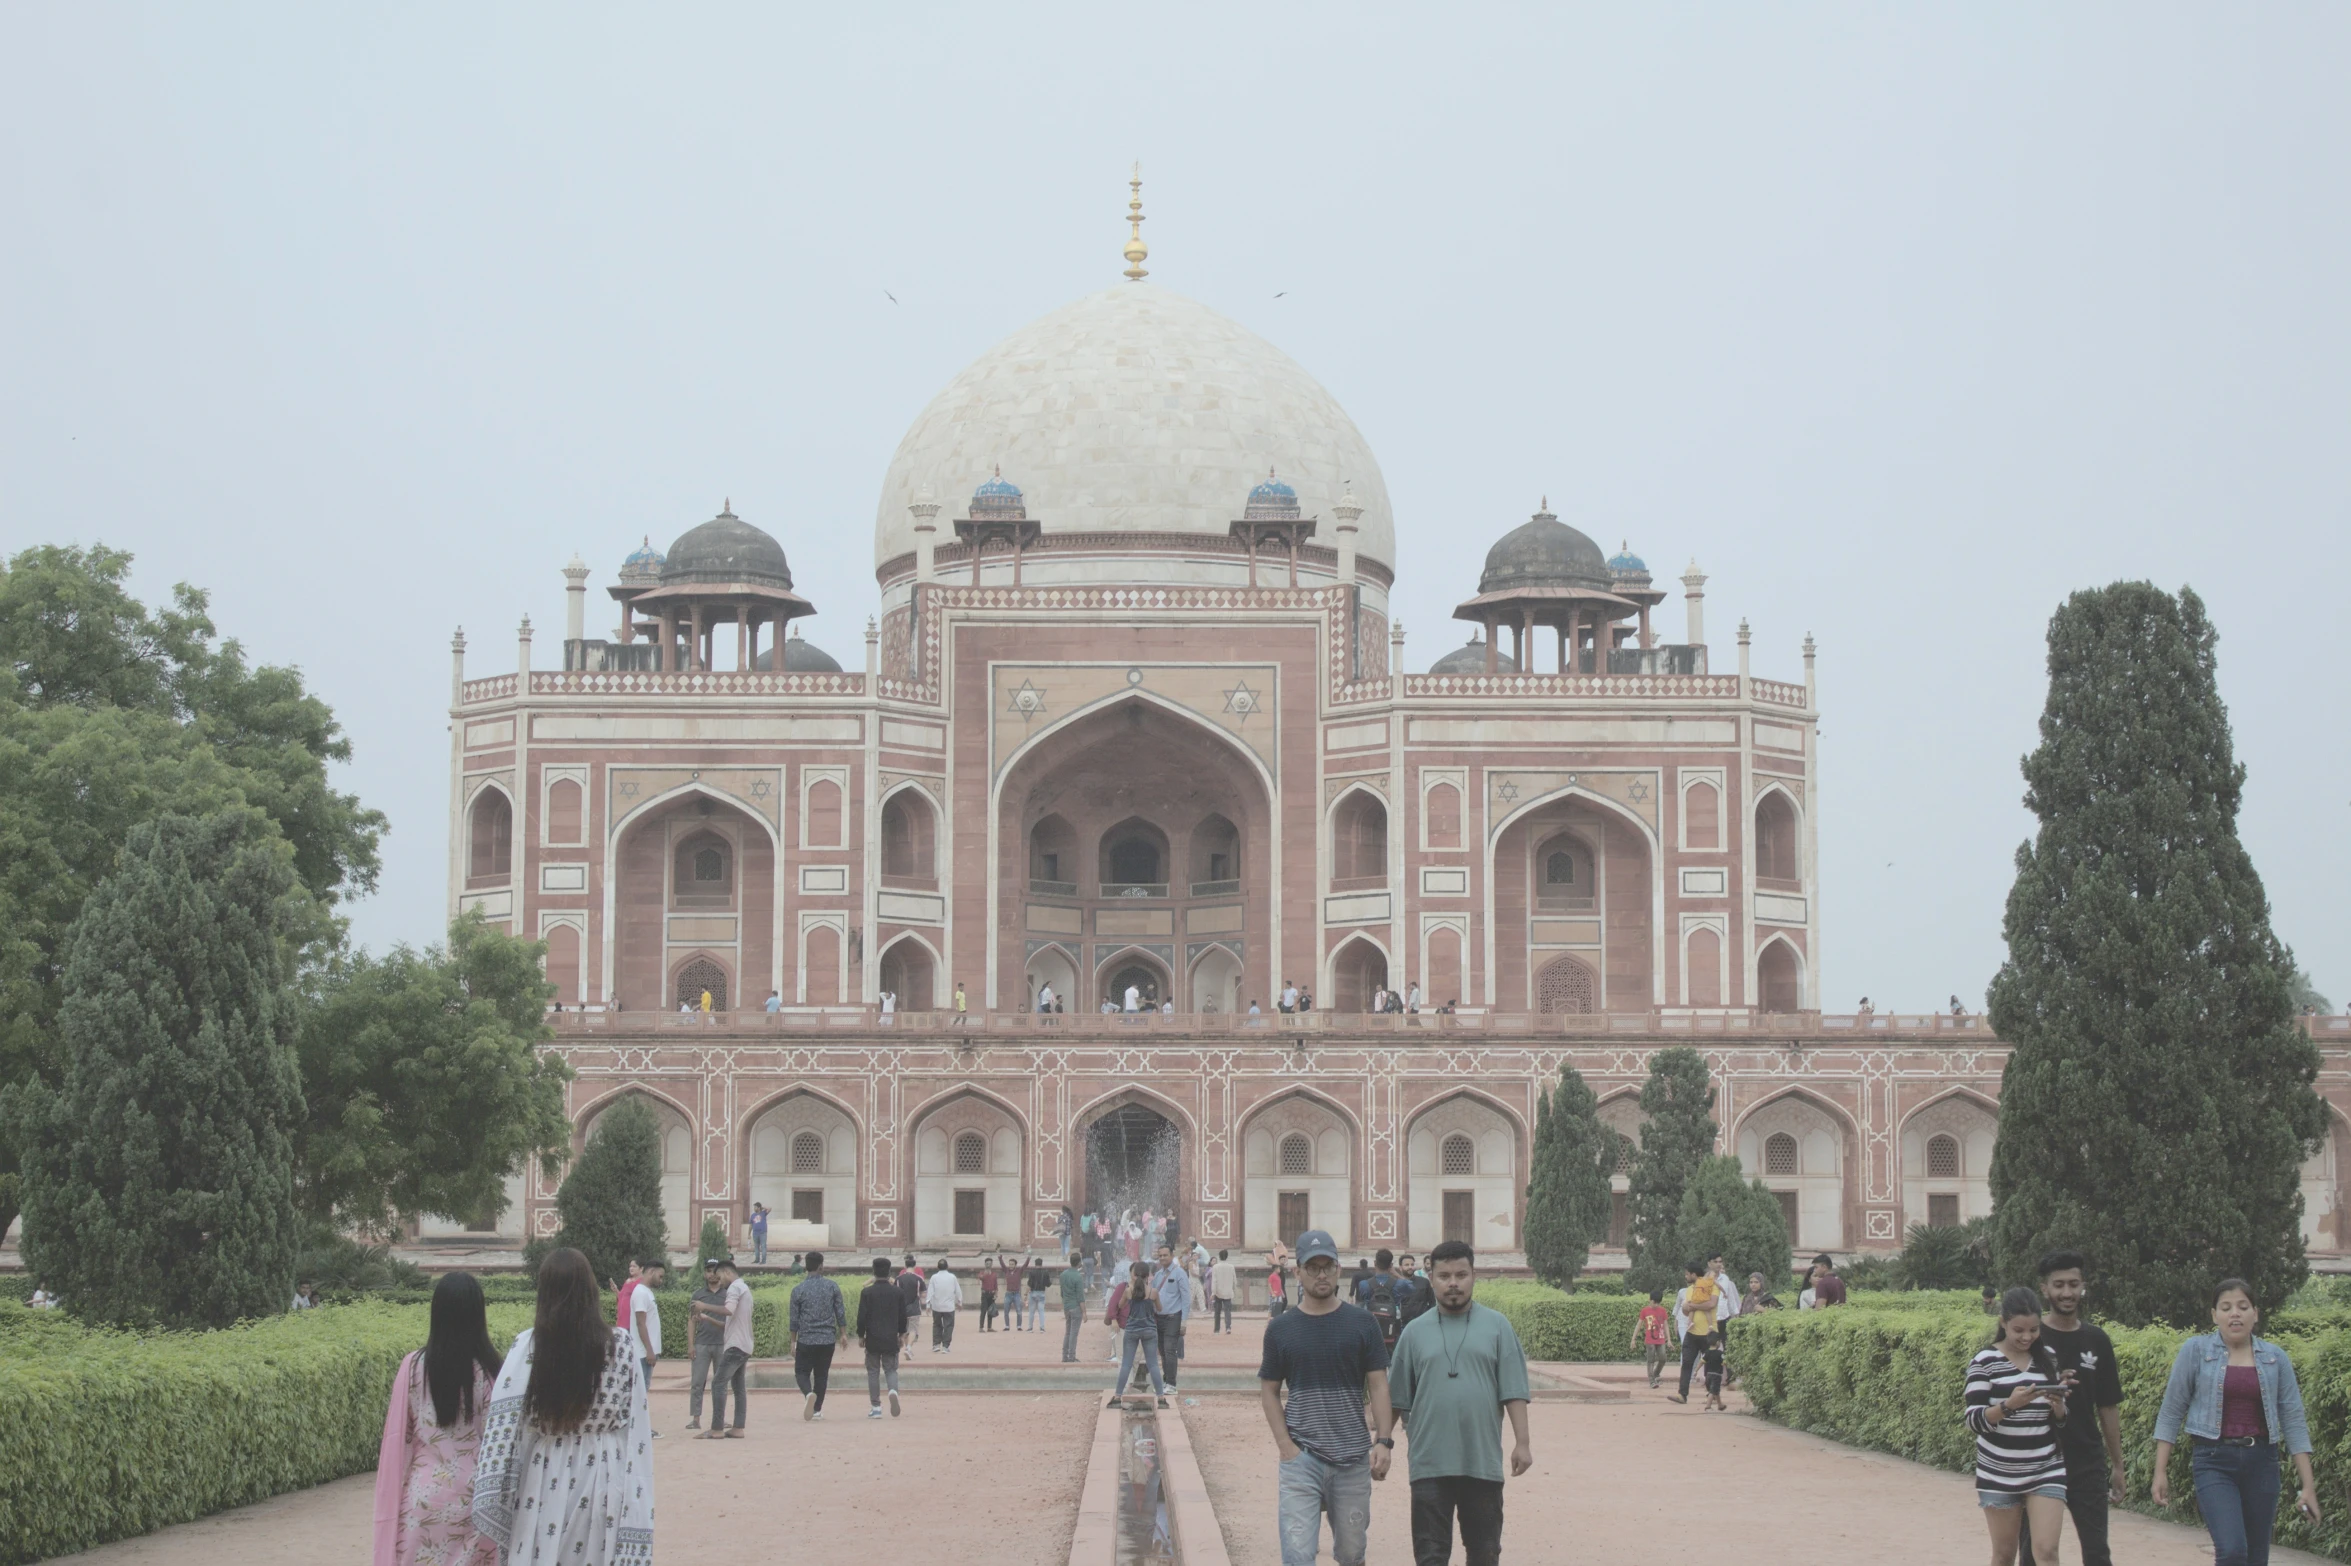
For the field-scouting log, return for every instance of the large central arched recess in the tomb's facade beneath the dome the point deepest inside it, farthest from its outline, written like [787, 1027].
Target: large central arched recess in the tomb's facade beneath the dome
[1134, 838]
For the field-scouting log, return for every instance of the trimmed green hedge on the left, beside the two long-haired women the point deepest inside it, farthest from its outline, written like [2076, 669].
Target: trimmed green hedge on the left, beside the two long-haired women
[105, 1435]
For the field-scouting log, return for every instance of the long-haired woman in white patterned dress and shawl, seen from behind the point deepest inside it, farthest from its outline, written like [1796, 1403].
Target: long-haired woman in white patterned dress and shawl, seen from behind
[568, 1468]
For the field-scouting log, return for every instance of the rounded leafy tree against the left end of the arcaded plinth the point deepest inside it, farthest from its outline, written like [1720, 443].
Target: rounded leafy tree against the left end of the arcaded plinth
[427, 1083]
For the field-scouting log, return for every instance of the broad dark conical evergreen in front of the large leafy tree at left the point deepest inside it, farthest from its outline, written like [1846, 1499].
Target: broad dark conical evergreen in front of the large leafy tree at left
[159, 1179]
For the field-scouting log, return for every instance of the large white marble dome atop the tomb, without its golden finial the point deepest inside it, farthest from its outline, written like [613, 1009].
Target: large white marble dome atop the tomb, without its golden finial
[1134, 413]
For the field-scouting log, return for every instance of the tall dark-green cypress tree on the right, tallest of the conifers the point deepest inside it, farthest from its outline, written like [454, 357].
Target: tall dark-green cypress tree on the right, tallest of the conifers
[2159, 1099]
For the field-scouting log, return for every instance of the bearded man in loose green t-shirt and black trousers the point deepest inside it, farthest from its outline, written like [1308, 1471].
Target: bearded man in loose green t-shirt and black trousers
[1456, 1372]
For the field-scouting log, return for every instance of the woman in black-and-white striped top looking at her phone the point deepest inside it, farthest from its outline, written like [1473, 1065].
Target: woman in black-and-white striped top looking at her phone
[2016, 1403]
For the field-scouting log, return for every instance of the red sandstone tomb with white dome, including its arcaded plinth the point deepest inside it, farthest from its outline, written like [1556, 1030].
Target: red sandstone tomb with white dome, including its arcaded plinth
[1132, 716]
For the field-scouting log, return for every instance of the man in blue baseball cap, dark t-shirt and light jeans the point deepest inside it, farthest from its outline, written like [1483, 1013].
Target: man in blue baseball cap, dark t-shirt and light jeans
[1334, 1363]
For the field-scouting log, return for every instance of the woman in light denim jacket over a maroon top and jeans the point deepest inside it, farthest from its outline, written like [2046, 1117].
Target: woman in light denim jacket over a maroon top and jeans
[2239, 1403]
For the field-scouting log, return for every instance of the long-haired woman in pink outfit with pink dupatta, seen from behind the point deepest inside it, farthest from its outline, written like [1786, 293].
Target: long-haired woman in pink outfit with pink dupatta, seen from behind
[431, 1438]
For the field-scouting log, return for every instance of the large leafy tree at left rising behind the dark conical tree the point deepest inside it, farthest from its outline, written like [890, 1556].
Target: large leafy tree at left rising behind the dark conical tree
[112, 716]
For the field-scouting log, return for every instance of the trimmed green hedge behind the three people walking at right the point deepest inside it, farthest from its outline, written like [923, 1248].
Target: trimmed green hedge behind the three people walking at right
[1894, 1379]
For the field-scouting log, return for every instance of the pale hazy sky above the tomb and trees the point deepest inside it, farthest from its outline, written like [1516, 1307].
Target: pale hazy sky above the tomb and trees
[1905, 323]
